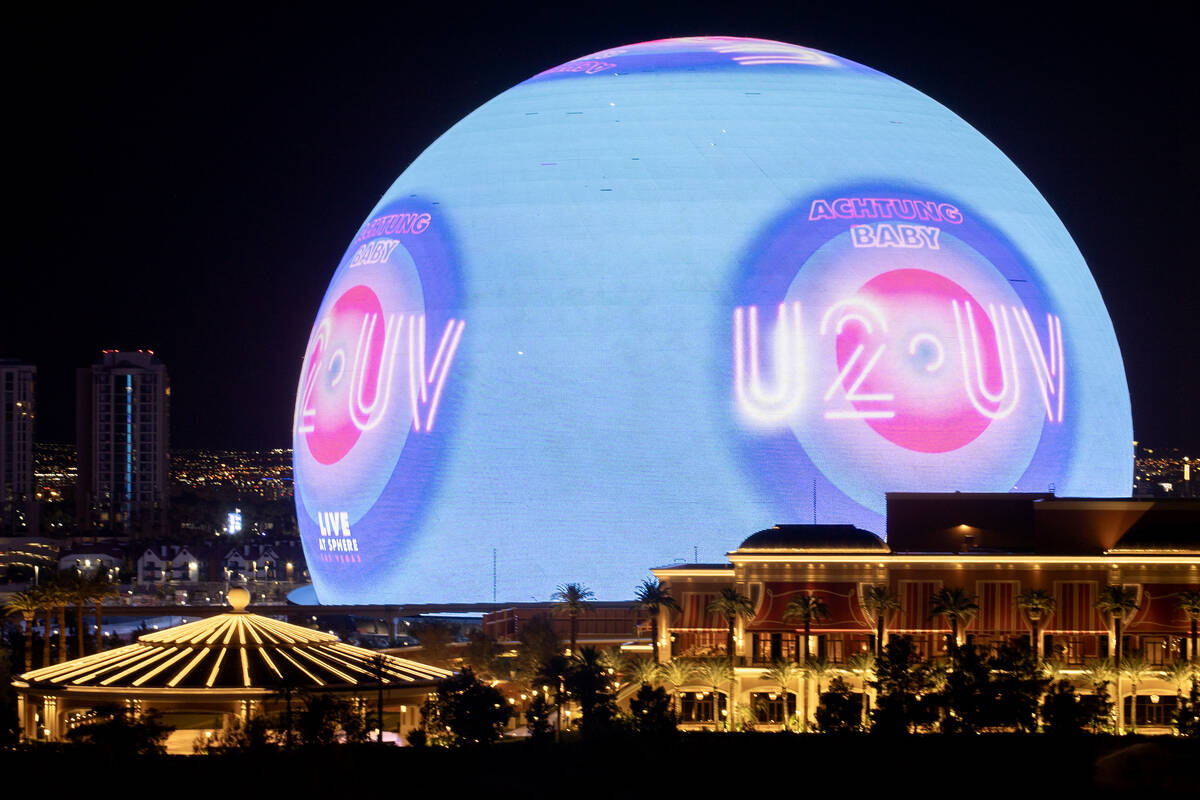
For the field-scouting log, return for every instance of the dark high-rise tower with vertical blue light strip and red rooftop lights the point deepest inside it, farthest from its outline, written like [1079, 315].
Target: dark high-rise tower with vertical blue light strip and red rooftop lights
[122, 416]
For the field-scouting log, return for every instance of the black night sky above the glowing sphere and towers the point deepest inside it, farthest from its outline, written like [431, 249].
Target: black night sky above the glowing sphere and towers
[187, 179]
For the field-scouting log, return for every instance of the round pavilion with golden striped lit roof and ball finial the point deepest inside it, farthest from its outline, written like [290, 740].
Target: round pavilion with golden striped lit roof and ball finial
[202, 676]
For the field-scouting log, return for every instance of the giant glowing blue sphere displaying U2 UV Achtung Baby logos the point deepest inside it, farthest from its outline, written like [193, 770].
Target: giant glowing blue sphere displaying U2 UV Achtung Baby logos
[664, 296]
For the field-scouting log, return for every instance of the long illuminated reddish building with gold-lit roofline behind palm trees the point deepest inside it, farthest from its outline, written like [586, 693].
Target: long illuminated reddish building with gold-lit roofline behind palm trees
[992, 546]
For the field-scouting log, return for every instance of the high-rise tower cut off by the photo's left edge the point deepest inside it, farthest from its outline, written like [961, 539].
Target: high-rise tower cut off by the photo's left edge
[19, 508]
